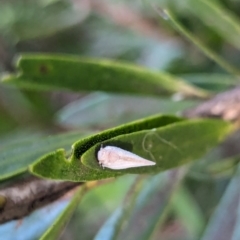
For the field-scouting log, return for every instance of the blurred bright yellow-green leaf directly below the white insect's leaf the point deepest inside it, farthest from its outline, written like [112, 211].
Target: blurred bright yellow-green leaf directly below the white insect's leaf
[101, 202]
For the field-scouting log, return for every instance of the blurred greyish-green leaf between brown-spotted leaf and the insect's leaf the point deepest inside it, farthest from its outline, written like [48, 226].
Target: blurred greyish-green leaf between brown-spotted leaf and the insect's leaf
[114, 109]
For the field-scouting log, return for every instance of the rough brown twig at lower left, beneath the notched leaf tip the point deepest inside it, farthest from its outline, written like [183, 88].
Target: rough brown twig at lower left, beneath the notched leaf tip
[29, 194]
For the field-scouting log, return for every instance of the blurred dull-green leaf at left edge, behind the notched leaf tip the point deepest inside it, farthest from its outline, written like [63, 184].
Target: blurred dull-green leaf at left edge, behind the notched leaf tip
[15, 158]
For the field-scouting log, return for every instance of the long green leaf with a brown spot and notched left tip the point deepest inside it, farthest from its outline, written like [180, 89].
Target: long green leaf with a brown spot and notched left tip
[49, 72]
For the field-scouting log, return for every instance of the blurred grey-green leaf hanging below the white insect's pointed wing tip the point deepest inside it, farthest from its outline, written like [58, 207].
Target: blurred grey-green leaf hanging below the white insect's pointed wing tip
[152, 205]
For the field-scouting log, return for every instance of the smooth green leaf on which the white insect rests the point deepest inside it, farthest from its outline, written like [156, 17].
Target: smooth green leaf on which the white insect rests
[169, 146]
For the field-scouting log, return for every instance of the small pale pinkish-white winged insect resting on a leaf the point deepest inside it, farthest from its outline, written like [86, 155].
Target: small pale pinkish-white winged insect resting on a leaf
[117, 158]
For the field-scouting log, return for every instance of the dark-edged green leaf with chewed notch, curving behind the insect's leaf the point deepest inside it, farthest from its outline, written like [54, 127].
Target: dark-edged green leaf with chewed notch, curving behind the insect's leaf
[55, 165]
